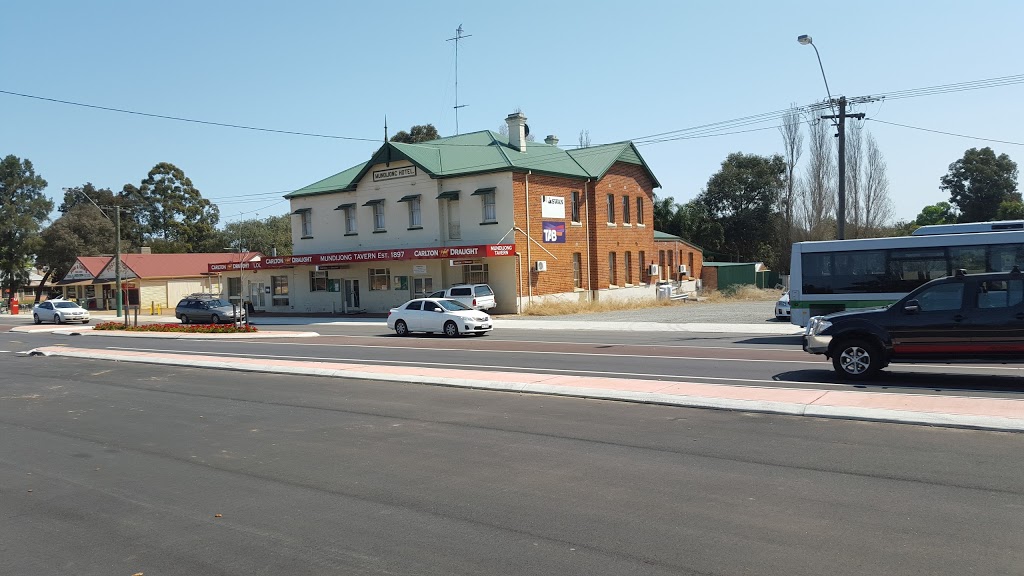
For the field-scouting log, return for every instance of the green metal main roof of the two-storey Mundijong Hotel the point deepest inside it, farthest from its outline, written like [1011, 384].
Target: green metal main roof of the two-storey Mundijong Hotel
[485, 152]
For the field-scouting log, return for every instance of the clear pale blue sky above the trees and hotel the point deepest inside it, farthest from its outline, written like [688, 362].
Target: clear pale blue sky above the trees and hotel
[621, 71]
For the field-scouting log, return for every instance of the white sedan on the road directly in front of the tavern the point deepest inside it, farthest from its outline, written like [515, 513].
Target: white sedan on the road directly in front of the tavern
[438, 315]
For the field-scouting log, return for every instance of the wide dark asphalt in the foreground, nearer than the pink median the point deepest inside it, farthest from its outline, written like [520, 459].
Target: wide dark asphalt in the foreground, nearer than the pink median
[114, 469]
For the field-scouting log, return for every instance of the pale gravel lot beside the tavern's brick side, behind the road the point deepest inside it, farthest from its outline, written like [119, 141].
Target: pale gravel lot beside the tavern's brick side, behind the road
[714, 313]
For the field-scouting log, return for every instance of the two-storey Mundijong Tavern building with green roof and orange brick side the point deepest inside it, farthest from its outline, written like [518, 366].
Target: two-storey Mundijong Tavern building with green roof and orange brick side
[532, 220]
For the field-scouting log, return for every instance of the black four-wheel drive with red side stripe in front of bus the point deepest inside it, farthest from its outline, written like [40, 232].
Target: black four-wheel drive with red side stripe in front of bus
[960, 319]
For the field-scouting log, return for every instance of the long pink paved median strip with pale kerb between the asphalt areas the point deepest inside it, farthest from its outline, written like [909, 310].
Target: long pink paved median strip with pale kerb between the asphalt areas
[968, 413]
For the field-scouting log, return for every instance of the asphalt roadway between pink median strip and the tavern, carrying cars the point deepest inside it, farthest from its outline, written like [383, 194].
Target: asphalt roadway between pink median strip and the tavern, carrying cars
[732, 359]
